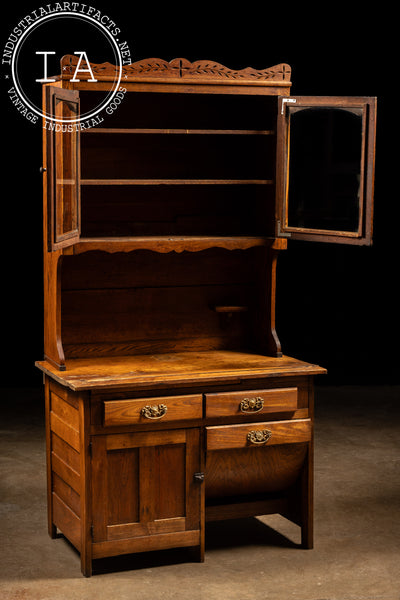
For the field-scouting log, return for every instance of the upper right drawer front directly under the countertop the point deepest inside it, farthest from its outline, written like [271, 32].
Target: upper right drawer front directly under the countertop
[246, 404]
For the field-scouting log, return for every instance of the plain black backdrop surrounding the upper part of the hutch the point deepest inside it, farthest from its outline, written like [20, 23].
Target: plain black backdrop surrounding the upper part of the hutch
[337, 305]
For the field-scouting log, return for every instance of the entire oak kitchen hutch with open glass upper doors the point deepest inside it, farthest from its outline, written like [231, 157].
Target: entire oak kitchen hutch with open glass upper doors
[169, 402]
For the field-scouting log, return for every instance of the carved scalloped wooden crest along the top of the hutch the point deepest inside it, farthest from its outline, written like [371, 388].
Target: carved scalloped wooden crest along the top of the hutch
[180, 70]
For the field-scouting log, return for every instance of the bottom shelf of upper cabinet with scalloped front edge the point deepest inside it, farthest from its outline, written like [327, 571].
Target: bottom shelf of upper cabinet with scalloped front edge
[174, 243]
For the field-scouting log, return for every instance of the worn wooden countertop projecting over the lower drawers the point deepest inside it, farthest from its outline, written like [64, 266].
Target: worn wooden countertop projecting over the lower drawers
[181, 368]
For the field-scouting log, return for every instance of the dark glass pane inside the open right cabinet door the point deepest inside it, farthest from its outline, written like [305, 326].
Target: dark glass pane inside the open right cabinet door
[325, 168]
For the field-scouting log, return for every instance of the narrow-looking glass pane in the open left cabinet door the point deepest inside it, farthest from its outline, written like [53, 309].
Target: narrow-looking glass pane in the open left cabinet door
[66, 170]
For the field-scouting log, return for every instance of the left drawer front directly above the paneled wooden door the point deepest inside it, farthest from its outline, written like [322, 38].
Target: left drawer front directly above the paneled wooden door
[152, 410]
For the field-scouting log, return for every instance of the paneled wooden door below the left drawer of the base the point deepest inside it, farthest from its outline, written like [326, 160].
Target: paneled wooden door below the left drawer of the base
[142, 488]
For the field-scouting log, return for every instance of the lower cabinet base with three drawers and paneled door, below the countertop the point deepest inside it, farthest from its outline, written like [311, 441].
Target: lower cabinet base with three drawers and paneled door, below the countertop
[129, 474]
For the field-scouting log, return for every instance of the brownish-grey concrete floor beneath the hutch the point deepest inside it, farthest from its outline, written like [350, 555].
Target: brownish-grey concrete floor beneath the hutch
[357, 521]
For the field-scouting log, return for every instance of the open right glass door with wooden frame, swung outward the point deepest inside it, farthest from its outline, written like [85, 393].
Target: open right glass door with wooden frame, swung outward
[325, 168]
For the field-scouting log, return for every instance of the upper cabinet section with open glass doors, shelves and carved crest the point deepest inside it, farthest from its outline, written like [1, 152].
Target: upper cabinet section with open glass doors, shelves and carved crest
[198, 155]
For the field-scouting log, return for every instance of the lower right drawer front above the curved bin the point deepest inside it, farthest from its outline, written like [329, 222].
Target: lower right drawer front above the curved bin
[258, 435]
